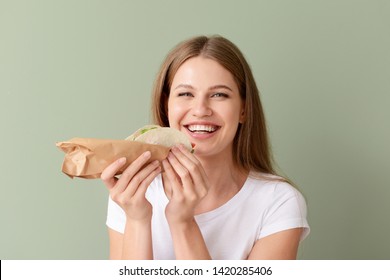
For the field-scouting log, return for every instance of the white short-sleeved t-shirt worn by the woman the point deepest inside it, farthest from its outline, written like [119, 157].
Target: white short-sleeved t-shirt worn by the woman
[262, 207]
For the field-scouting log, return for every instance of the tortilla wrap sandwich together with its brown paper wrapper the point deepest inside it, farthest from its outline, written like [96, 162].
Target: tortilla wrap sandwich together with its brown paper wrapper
[88, 157]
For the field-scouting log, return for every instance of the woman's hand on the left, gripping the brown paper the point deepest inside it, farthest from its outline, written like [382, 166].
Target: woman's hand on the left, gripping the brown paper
[129, 190]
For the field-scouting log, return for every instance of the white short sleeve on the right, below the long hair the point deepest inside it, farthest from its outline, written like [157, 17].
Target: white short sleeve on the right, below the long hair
[287, 210]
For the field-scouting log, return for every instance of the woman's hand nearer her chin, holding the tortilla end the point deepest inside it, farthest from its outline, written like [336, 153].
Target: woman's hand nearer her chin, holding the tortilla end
[188, 182]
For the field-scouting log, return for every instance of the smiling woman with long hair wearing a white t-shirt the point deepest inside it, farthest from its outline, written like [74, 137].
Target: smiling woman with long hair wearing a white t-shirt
[225, 201]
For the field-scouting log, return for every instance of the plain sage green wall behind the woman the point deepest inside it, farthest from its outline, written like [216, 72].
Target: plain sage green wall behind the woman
[86, 69]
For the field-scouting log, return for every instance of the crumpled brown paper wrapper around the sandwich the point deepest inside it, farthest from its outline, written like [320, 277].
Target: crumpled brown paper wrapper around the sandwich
[88, 157]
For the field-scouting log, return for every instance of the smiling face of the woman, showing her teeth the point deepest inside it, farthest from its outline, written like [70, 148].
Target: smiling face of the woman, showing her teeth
[204, 102]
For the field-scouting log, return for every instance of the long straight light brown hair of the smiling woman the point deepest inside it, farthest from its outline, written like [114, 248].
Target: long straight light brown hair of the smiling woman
[251, 149]
